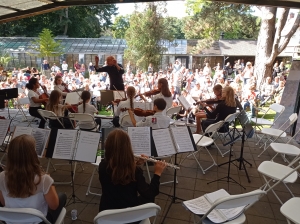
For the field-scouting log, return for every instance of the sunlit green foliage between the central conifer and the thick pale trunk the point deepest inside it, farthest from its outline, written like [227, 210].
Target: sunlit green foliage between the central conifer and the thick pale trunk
[208, 20]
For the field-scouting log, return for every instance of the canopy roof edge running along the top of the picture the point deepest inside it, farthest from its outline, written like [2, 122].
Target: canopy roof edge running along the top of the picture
[13, 10]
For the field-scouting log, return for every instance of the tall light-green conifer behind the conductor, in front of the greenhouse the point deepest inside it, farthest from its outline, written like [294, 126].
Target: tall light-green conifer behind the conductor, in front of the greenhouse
[145, 35]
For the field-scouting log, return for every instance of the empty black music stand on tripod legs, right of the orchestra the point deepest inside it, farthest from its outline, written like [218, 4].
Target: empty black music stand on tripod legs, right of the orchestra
[234, 136]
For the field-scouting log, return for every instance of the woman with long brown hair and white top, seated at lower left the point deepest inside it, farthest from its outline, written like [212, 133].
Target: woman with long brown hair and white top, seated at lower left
[23, 184]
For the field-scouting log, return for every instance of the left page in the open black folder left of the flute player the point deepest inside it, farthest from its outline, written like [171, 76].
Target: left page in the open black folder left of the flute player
[65, 143]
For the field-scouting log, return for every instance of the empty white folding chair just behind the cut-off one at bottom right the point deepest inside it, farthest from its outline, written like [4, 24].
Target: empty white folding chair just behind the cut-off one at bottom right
[279, 173]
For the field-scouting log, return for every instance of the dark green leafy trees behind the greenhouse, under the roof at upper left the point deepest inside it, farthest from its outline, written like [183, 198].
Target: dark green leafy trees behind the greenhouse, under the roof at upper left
[76, 21]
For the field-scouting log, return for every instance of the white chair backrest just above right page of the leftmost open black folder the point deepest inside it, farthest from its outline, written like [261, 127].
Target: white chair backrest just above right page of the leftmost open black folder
[83, 119]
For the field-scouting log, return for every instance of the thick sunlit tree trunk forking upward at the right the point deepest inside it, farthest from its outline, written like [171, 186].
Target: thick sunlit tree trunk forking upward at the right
[272, 39]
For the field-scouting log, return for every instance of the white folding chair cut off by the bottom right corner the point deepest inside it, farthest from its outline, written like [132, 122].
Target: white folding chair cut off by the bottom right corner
[290, 209]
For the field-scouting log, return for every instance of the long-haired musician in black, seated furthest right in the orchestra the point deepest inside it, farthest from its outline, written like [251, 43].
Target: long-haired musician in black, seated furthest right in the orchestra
[223, 109]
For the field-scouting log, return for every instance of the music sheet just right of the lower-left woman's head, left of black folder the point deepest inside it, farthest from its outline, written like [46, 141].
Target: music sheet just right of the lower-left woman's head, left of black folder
[41, 138]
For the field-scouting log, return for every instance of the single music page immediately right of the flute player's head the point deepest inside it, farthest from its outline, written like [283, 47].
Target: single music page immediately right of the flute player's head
[140, 140]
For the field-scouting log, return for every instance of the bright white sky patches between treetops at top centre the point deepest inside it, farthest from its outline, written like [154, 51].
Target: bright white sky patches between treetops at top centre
[175, 8]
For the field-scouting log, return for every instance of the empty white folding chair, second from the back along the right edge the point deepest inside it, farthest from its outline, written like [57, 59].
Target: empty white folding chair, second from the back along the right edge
[273, 134]
